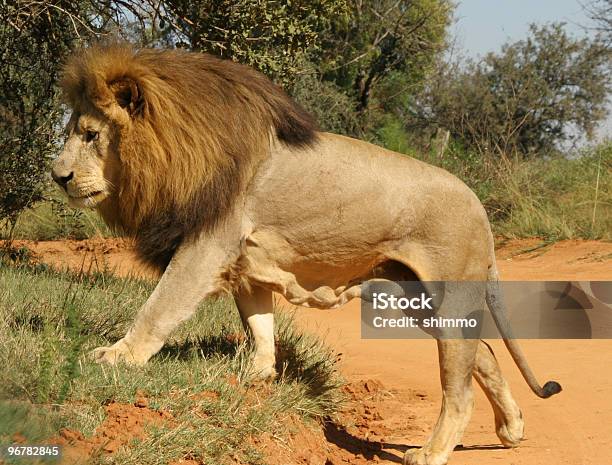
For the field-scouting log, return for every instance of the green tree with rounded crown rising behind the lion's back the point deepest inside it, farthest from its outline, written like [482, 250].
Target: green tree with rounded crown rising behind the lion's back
[382, 51]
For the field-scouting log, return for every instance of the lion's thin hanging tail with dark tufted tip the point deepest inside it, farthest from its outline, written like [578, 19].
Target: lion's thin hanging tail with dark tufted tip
[498, 311]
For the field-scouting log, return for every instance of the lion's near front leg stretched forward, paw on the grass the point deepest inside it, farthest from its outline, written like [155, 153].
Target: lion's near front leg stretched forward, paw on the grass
[193, 274]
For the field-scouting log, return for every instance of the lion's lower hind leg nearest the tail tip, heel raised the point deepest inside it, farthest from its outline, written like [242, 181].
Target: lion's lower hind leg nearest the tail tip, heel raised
[509, 422]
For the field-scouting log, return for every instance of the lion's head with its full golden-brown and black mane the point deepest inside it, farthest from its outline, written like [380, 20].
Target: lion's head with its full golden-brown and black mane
[162, 142]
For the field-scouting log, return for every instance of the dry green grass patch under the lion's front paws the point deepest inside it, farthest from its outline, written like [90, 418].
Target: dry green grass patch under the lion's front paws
[49, 323]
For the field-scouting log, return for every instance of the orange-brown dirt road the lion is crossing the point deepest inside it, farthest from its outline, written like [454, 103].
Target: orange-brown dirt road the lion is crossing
[397, 381]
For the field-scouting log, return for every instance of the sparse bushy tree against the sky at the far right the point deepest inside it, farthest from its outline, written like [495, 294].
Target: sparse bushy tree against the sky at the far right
[538, 93]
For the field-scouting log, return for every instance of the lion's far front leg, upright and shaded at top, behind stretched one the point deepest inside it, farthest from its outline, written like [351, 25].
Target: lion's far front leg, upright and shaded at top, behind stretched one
[257, 312]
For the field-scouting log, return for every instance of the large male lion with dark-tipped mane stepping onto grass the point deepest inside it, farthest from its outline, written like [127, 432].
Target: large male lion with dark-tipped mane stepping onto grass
[227, 185]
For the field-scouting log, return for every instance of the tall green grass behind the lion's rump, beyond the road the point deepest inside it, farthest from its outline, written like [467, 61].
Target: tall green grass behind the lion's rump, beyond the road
[554, 199]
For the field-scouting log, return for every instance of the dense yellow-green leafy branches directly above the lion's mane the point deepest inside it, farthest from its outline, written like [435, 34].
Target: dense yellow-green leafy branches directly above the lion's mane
[274, 37]
